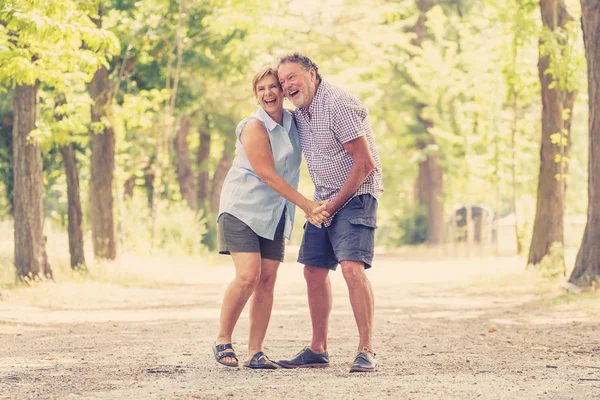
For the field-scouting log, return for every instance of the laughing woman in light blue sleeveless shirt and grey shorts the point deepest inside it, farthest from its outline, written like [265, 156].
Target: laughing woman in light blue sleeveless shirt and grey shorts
[256, 214]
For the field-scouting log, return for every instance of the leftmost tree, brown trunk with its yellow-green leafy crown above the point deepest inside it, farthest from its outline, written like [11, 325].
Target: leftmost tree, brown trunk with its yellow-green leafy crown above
[40, 43]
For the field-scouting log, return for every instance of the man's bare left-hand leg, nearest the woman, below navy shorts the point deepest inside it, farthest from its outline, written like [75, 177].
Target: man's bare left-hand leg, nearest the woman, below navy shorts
[319, 302]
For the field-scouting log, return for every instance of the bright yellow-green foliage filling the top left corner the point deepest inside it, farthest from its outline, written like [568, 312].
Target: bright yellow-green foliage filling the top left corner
[55, 42]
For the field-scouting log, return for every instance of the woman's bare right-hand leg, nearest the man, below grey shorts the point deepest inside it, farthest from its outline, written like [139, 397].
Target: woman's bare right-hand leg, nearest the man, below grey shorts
[261, 305]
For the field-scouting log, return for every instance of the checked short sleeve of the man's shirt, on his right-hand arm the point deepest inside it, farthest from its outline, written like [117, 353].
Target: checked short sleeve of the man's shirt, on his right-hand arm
[348, 118]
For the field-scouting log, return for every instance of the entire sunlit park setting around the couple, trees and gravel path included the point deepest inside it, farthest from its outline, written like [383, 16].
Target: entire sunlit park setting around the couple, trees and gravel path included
[117, 123]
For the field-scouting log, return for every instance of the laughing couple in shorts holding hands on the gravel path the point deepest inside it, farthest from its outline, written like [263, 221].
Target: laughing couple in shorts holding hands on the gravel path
[332, 129]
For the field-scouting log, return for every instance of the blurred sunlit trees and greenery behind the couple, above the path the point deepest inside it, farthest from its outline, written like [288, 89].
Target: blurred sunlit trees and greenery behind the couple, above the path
[120, 118]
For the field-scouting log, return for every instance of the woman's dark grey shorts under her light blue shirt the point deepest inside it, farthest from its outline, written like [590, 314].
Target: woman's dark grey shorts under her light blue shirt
[237, 237]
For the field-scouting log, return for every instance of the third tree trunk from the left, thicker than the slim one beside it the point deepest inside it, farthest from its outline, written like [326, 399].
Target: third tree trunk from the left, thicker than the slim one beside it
[102, 169]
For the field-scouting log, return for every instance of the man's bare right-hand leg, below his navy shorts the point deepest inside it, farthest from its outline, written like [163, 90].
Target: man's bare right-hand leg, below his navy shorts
[362, 301]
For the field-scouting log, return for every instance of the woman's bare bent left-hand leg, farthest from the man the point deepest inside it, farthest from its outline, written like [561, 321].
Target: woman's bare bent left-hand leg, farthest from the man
[247, 275]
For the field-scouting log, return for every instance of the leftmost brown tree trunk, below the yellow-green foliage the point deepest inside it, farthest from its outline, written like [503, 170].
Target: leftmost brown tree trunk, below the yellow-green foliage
[30, 257]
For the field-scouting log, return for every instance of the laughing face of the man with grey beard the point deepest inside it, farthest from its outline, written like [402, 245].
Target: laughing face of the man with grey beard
[299, 85]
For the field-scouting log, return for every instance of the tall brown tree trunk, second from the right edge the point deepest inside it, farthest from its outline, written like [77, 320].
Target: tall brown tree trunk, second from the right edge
[548, 224]
